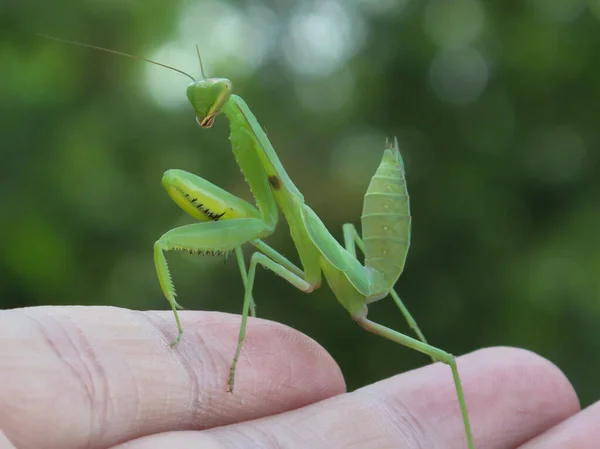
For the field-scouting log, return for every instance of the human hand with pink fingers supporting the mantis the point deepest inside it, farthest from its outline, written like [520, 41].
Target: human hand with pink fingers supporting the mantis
[102, 377]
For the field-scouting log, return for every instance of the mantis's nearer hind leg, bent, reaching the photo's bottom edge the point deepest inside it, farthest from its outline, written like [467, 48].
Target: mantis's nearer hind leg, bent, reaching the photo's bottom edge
[434, 353]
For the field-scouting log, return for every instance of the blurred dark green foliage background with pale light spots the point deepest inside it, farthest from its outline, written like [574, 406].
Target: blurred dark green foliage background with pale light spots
[496, 108]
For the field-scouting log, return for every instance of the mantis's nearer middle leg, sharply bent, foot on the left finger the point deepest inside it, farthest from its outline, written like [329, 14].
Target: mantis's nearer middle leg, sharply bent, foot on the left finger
[280, 270]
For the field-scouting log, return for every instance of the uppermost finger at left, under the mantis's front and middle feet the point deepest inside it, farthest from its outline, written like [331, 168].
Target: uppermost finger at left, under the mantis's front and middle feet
[96, 376]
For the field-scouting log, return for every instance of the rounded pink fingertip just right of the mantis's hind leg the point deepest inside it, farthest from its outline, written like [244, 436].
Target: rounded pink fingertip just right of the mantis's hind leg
[529, 393]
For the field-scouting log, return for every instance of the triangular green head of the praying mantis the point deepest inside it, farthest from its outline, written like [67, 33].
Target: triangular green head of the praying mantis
[208, 96]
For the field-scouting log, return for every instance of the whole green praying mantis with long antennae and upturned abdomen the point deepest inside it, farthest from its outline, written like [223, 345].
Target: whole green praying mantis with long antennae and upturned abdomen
[226, 223]
